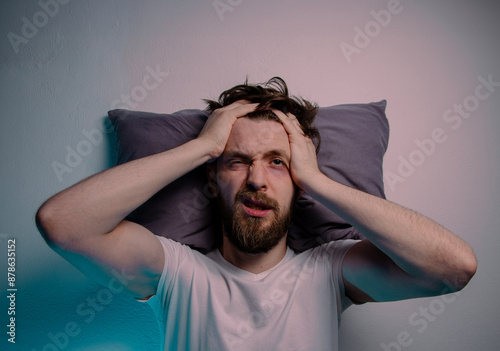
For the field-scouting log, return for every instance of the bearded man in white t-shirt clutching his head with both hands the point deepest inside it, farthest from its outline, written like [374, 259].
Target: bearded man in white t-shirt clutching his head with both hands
[252, 292]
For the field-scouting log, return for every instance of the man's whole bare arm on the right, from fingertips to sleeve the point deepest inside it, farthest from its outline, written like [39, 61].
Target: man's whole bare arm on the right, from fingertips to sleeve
[407, 255]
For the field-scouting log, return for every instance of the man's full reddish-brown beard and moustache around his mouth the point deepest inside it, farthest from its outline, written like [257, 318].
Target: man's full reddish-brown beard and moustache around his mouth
[254, 235]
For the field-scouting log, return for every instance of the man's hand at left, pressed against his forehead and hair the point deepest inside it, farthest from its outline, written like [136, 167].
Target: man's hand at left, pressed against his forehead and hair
[219, 124]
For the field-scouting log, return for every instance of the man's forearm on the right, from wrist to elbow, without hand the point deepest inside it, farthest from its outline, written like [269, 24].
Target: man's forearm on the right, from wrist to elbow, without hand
[417, 244]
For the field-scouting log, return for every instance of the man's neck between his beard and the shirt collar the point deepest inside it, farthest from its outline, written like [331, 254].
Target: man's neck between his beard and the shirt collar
[253, 263]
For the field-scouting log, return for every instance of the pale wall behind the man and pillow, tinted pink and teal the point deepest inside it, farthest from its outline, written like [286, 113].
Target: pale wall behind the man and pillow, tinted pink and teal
[59, 80]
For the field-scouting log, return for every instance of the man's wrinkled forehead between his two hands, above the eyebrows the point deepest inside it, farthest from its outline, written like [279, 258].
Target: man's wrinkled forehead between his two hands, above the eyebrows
[255, 136]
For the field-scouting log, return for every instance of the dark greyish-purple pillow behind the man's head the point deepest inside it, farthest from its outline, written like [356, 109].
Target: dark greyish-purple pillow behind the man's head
[354, 138]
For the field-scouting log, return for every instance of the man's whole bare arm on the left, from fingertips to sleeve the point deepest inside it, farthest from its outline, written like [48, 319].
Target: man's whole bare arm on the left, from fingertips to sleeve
[85, 223]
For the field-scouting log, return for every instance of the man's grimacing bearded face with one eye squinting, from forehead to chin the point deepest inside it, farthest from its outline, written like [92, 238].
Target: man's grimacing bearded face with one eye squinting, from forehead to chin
[256, 189]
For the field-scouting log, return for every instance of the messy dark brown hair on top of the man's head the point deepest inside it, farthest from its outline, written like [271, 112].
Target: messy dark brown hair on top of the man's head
[272, 94]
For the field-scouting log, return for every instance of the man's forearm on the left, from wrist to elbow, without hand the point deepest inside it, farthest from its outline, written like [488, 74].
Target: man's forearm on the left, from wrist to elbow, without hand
[96, 205]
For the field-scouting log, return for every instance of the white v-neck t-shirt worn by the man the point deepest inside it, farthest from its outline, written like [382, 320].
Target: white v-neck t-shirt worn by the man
[203, 302]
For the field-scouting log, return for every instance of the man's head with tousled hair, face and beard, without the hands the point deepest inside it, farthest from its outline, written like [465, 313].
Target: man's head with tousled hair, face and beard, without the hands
[255, 190]
